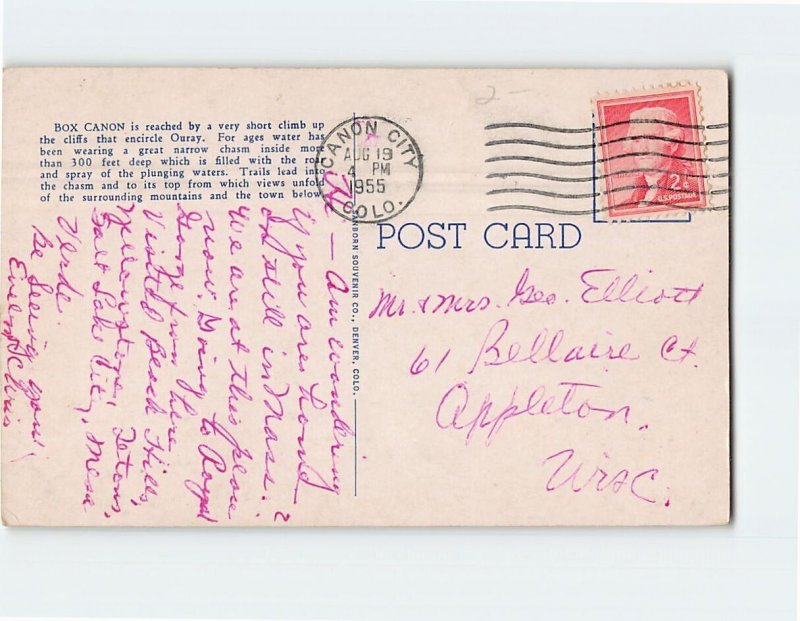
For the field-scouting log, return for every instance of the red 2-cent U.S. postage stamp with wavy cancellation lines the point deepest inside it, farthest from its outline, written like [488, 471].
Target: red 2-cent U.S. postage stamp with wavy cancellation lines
[651, 149]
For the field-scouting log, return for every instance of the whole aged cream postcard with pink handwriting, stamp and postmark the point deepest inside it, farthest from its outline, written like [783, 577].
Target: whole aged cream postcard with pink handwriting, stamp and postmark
[365, 297]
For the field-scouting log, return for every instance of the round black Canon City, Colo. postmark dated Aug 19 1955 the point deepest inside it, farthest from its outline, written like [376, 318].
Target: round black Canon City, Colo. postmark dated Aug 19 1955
[368, 169]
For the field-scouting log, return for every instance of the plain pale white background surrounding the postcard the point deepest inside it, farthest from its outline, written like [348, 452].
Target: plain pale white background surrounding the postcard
[743, 571]
